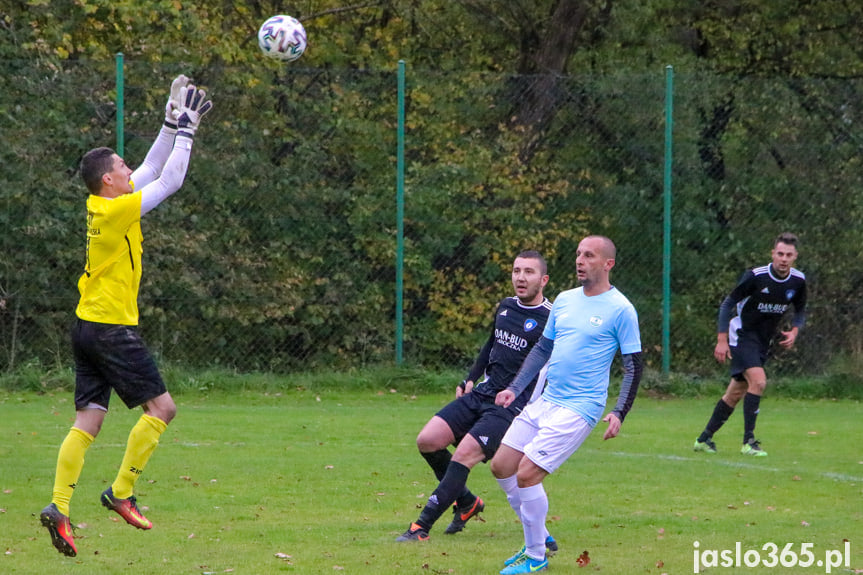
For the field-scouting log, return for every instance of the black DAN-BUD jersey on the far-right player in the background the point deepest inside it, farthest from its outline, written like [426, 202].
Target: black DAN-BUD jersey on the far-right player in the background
[762, 300]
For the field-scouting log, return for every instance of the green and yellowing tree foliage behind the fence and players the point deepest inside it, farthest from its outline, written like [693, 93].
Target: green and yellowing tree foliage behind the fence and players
[530, 123]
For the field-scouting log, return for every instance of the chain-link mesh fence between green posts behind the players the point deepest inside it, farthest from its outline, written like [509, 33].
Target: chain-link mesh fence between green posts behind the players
[279, 251]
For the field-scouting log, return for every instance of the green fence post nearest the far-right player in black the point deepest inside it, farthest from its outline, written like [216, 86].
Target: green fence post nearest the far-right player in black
[666, 226]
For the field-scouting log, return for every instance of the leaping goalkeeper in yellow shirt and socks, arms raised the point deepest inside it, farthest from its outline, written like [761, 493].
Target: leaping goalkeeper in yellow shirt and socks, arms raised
[109, 352]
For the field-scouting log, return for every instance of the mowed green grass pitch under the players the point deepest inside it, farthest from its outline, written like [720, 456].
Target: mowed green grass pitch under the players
[305, 482]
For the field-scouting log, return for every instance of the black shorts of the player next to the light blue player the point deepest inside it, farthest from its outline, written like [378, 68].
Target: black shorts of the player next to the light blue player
[479, 417]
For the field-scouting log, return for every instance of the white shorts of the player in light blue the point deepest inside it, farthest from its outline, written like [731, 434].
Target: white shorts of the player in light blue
[547, 433]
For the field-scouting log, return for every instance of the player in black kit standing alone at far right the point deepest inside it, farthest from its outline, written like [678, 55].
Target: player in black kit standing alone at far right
[762, 298]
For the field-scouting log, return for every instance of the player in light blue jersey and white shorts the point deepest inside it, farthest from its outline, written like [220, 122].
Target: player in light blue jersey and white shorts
[586, 327]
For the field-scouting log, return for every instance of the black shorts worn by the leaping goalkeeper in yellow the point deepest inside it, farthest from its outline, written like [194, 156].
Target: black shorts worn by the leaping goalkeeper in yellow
[113, 356]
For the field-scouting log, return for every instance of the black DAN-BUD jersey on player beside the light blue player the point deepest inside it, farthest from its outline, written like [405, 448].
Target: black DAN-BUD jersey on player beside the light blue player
[516, 328]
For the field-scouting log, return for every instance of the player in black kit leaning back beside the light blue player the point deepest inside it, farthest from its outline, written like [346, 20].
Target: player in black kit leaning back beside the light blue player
[472, 422]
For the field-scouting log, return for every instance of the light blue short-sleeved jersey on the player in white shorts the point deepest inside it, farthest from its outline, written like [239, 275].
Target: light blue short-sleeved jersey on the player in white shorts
[587, 332]
